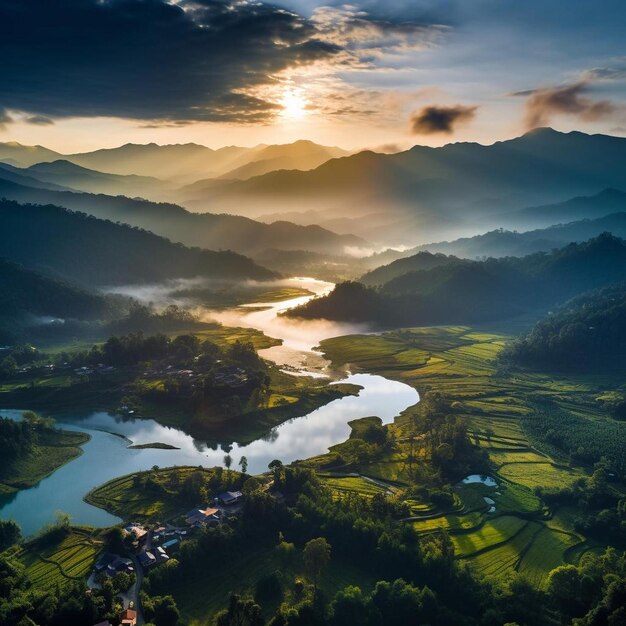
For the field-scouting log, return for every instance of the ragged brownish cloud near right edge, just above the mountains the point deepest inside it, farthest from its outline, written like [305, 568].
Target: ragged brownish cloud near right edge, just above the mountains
[543, 104]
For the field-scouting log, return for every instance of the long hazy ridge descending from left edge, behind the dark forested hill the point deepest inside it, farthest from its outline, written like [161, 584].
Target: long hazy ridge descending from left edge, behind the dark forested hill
[203, 230]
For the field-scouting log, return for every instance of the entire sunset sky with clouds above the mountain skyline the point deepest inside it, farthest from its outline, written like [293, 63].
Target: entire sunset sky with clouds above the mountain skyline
[78, 75]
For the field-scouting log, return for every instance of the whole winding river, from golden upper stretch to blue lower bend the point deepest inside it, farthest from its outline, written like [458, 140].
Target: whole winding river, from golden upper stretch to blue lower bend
[107, 454]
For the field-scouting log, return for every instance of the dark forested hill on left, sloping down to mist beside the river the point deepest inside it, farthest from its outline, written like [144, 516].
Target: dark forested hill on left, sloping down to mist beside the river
[98, 252]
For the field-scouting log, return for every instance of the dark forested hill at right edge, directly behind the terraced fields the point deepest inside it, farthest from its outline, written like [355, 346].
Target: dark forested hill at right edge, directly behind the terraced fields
[586, 333]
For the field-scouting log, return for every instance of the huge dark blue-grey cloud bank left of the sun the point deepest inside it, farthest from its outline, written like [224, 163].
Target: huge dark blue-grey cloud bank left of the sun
[149, 59]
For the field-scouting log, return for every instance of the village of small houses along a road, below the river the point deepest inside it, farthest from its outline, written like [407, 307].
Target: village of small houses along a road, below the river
[151, 545]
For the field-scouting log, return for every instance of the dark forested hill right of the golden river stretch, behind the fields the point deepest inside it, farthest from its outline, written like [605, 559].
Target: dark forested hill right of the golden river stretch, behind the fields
[477, 291]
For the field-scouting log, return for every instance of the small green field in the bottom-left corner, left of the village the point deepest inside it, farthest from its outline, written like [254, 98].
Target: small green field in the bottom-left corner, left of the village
[69, 558]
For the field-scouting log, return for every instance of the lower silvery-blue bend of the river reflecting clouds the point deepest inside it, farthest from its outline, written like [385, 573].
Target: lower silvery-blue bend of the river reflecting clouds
[107, 455]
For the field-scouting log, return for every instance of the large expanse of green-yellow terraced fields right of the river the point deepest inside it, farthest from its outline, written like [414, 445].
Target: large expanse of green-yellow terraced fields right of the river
[512, 530]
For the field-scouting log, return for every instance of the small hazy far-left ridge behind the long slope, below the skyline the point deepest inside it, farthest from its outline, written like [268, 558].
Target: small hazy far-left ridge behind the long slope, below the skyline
[66, 174]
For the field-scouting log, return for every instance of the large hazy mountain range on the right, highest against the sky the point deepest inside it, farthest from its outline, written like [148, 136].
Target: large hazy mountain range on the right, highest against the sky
[463, 184]
